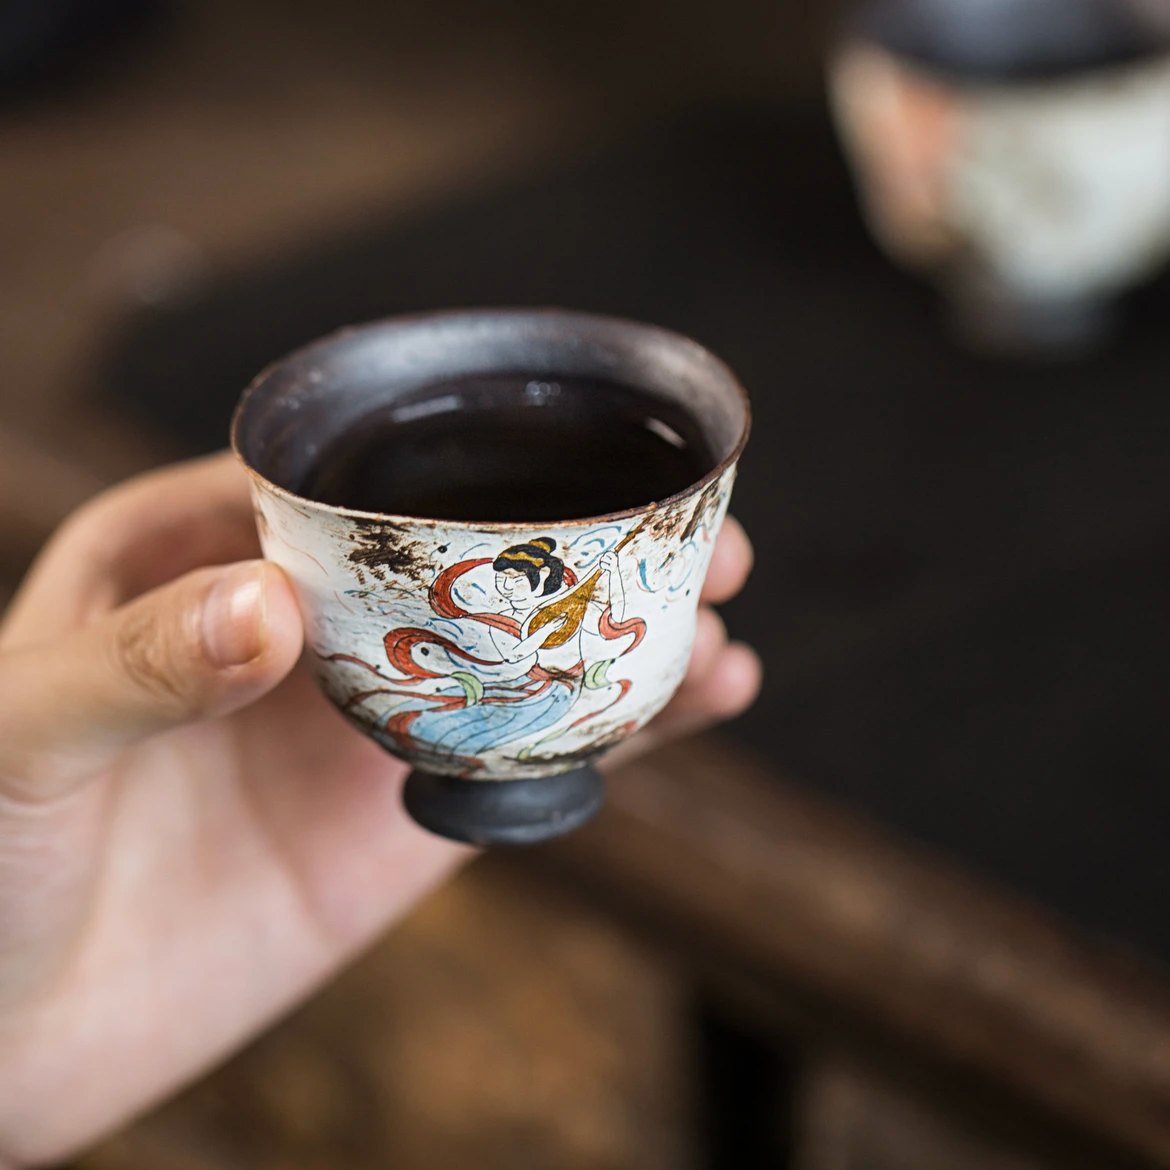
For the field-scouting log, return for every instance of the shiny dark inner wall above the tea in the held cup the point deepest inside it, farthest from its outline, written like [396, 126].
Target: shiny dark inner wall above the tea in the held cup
[304, 404]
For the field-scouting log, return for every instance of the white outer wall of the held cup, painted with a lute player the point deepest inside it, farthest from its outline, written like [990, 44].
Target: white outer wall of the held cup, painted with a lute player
[417, 653]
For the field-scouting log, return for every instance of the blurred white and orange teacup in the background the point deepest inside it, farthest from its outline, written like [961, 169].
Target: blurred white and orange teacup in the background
[1018, 152]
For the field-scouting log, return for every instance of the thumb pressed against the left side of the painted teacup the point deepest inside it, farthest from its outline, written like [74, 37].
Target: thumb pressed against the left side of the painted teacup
[202, 646]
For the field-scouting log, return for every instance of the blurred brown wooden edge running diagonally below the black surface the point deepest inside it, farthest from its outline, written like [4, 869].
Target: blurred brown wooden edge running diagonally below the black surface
[776, 883]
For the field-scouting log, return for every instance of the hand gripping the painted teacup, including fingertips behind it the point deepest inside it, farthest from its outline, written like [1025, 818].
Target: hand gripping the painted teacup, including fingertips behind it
[191, 837]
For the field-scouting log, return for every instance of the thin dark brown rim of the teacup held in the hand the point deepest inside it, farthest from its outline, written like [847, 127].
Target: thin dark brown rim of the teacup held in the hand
[574, 322]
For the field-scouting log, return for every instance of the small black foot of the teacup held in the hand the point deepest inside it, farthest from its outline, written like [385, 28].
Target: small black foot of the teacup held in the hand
[504, 813]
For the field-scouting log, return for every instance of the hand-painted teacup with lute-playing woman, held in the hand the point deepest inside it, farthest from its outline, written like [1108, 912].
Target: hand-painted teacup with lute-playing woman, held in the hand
[499, 659]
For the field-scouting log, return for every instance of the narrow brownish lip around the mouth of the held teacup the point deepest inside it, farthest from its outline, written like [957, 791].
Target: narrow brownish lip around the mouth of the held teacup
[572, 318]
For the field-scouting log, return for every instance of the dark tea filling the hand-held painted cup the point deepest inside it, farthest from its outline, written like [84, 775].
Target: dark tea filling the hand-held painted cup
[513, 449]
